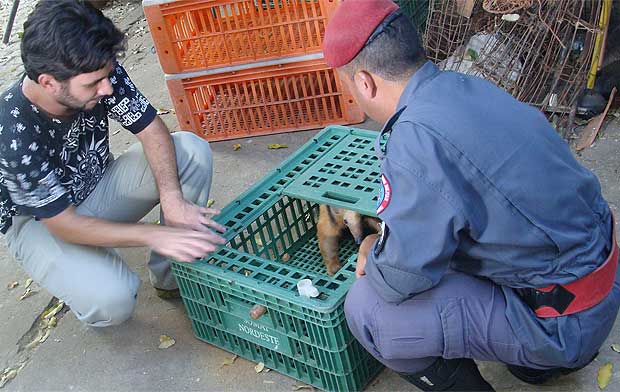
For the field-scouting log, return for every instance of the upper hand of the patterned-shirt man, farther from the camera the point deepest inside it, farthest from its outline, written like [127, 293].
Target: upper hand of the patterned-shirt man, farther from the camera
[185, 214]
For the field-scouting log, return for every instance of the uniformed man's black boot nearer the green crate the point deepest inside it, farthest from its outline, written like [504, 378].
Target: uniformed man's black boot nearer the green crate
[459, 374]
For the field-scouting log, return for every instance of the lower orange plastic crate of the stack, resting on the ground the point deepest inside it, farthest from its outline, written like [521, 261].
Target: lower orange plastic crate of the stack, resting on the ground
[261, 100]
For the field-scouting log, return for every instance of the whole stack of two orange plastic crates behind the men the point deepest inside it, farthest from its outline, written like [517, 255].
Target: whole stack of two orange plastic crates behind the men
[238, 68]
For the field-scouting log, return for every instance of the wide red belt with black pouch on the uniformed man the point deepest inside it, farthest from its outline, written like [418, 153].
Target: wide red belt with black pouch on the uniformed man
[560, 300]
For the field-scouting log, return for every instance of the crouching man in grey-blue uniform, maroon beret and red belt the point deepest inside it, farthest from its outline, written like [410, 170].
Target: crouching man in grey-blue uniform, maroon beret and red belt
[497, 244]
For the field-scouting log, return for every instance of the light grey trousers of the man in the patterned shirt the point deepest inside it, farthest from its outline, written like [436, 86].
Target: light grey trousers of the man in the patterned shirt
[94, 281]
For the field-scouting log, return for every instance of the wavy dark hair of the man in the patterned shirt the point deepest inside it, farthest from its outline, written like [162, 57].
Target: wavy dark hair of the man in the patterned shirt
[65, 38]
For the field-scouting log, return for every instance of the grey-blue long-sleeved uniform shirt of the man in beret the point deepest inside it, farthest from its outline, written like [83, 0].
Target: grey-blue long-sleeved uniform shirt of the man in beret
[479, 182]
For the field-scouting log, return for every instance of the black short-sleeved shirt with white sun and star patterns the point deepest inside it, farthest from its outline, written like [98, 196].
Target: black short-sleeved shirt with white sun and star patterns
[47, 163]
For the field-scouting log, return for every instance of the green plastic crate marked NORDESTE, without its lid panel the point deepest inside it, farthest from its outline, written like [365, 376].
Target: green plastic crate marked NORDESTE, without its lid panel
[271, 246]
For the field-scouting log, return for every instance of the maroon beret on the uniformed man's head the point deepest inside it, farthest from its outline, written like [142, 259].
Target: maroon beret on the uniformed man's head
[351, 26]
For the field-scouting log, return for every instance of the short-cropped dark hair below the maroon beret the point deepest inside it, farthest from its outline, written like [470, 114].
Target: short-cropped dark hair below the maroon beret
[394, 54]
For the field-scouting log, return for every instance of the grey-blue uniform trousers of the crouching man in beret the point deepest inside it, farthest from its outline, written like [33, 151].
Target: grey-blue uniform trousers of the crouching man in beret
[465, 317]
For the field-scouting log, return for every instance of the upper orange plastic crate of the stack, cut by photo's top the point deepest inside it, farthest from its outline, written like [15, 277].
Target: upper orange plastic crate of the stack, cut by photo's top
[193, 35]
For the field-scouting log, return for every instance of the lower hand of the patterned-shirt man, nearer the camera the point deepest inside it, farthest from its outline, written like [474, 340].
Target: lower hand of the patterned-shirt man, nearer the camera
[185, 245]
